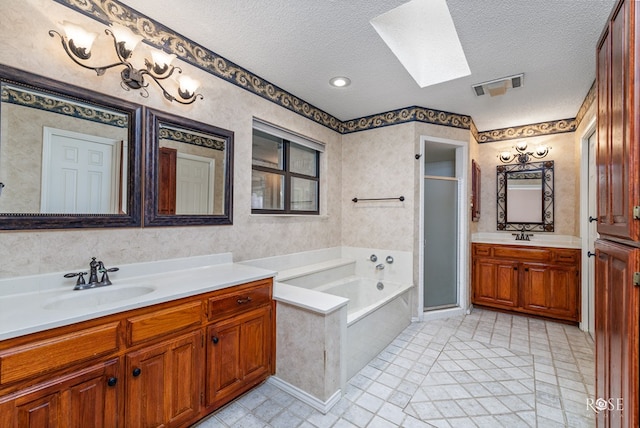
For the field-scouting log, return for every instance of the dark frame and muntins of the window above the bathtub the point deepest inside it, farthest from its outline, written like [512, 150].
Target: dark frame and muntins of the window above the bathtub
[288, 176]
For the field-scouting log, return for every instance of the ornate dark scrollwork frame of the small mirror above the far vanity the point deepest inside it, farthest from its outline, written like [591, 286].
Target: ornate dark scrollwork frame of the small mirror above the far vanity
[547, 197]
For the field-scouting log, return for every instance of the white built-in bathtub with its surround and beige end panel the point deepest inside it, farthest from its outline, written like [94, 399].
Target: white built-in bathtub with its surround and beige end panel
[336, 311]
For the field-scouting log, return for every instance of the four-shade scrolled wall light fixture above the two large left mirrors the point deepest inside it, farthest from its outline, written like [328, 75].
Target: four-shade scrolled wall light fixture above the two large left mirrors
[77, 44]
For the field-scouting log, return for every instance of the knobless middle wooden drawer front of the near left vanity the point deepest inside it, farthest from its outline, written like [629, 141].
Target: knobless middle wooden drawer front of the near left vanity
[159, 323]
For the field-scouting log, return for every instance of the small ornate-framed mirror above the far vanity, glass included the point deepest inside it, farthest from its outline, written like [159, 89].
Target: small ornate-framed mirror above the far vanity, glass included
[525, 197]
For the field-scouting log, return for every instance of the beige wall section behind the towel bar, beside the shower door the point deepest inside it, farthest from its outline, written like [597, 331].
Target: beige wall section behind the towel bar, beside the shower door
[379, 163]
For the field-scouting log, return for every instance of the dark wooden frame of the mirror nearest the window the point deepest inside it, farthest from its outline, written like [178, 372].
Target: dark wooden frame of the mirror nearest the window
[153, 119]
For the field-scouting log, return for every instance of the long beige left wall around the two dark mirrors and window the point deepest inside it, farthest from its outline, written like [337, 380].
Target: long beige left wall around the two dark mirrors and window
[26, 45]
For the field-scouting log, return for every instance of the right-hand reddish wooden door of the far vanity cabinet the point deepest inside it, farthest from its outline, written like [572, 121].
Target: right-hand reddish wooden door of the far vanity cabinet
[551, 290]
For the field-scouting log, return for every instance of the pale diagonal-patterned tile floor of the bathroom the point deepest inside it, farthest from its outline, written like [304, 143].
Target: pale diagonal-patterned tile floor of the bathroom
[486, 369]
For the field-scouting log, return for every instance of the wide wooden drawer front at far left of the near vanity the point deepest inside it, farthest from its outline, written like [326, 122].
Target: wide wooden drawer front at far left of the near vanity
[42, 356]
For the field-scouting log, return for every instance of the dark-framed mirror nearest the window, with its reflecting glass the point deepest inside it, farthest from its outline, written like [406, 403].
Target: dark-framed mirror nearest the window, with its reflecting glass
[189, 172]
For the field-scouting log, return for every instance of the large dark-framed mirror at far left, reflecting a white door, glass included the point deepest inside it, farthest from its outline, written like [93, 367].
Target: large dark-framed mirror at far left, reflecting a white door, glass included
[69, 157]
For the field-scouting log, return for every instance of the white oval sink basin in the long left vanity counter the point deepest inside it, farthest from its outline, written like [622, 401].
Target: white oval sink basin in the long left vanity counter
[96, 297]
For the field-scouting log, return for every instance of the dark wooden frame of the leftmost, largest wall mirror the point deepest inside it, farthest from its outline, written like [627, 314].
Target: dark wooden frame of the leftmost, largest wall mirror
[28, 221]
